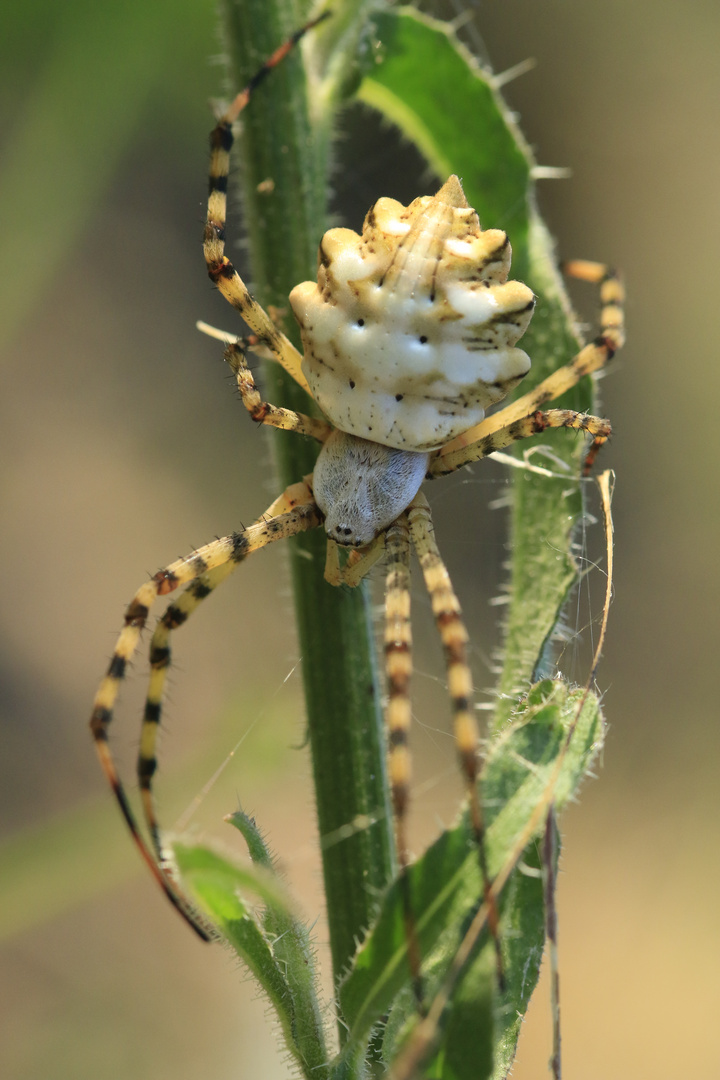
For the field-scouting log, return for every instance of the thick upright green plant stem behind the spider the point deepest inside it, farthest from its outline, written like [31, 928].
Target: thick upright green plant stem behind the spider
[287, 142]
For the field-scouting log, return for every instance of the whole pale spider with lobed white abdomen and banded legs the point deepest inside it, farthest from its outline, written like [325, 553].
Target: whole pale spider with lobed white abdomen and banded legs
[410, 335]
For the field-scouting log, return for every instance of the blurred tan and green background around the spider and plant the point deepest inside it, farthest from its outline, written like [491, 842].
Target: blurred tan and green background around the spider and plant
[124, 445]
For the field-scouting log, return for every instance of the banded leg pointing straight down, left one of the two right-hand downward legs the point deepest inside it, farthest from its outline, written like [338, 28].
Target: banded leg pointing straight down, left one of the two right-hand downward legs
[399, 669]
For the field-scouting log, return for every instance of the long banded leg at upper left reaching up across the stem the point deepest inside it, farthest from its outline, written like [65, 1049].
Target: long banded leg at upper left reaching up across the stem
[220, 267]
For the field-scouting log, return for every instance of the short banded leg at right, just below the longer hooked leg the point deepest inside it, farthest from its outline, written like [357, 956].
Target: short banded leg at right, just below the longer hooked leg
[524, 429]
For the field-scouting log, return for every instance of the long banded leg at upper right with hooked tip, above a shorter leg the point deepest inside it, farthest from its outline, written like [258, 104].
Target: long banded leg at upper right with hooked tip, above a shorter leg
[589, 360]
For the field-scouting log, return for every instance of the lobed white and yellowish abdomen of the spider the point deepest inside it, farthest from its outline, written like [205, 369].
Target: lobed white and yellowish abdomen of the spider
[410, 333]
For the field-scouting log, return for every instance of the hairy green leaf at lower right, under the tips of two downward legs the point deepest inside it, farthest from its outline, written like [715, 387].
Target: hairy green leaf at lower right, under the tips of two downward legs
[529, 767]
